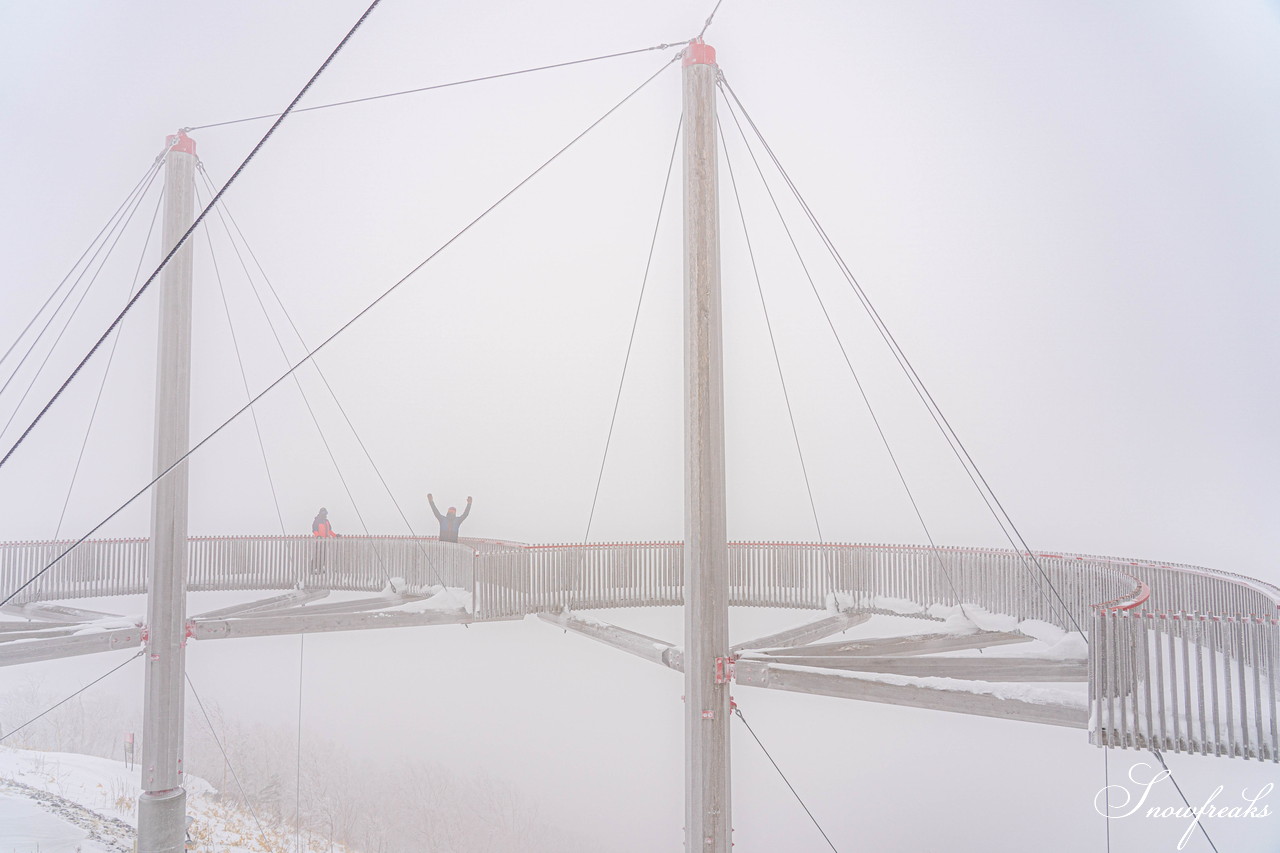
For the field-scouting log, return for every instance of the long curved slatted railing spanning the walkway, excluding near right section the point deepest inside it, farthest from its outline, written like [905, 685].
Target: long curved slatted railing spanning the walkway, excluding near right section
[511, 578]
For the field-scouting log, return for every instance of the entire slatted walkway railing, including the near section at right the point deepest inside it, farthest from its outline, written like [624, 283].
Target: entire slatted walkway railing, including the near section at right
[1182, 659]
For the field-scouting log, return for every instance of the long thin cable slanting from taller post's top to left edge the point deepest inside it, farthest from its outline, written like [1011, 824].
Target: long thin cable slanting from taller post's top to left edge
[336, 334]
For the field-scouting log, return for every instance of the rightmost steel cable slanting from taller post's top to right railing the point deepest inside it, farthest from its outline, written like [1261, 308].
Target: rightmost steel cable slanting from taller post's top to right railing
[922, 391]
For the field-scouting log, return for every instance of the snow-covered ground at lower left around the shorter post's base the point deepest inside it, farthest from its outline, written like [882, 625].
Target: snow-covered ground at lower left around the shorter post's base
[57, 802]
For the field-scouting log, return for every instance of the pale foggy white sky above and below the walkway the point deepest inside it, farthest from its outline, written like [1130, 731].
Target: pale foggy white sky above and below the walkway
[1066, 215]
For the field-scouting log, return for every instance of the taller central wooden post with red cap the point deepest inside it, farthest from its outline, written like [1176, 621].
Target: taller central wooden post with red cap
[707, 701]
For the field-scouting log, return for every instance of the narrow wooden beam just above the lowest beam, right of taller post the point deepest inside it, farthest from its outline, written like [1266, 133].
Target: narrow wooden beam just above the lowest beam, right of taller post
[971, 669]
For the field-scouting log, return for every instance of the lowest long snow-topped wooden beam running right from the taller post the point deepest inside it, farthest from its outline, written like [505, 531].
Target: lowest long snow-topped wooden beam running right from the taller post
[784, 678]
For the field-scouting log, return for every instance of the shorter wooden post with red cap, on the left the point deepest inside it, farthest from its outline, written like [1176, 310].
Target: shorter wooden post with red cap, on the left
[163, 805]
